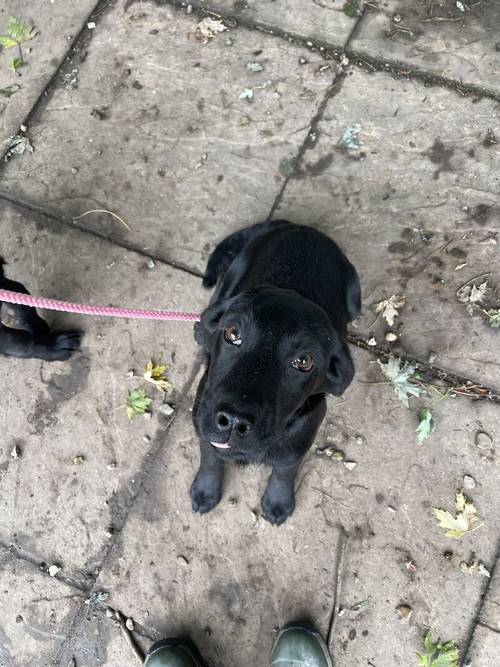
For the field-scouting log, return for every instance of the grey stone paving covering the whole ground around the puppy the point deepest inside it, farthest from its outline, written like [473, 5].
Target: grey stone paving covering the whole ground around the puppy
[404, 176]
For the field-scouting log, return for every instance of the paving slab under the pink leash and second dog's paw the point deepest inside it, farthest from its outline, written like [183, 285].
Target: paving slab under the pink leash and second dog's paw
[53, 505]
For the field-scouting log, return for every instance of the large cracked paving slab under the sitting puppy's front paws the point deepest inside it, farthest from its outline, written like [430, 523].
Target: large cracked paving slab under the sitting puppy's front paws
[229, 578]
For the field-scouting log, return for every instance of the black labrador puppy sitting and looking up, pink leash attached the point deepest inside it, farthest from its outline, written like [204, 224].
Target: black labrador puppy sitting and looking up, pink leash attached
[274, 337]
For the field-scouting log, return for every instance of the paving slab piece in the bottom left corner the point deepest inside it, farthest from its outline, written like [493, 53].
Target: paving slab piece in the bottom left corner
[37, 612]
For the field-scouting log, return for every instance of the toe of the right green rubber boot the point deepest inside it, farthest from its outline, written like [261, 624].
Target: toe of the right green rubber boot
[299, 646]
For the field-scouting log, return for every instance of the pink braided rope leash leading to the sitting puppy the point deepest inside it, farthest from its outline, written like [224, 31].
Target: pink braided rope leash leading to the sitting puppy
[103, 311]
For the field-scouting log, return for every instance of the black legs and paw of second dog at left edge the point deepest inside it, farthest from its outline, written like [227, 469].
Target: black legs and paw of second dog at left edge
[31, 337]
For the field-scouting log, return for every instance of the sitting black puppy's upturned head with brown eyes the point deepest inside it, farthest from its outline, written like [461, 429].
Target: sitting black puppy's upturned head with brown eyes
[268, 350]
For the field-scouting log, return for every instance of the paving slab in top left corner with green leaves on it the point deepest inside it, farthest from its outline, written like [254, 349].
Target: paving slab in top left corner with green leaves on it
[56, 24]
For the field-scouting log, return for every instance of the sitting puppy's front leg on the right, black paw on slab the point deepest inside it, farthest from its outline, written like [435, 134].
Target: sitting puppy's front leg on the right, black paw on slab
[278, 501]
